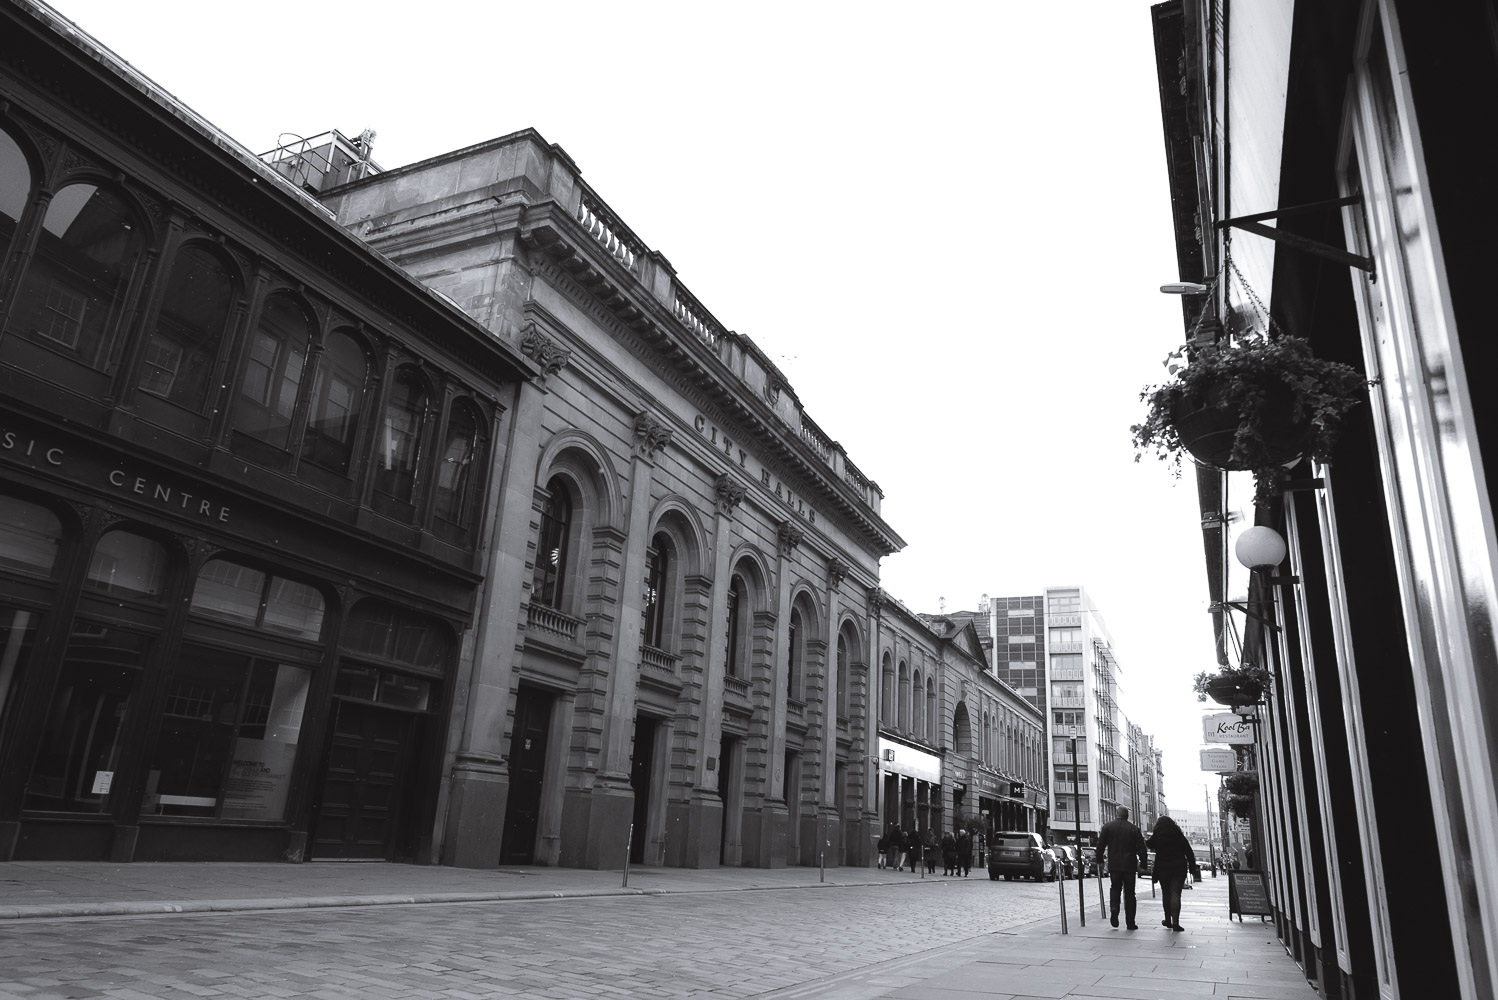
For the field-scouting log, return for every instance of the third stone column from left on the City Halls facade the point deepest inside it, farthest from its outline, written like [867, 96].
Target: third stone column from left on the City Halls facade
[705, 815]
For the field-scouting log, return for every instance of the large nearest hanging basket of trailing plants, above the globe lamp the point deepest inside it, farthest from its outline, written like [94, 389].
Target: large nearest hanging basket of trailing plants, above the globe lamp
[1271, 403]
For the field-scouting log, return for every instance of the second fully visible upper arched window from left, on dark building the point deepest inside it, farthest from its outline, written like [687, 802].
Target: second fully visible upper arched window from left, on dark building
[182, 351]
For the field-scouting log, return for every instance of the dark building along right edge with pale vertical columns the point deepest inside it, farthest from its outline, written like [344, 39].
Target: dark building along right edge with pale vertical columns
[1322, 173]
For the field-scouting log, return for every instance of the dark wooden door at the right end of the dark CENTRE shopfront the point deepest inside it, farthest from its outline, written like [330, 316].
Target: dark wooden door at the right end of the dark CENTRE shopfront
[369, 757]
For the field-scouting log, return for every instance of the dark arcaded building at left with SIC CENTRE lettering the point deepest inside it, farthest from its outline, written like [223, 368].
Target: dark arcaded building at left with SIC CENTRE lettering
[246, 474]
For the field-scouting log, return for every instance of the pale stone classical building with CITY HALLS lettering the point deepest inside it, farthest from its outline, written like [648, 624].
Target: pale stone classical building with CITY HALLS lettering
[675, 650]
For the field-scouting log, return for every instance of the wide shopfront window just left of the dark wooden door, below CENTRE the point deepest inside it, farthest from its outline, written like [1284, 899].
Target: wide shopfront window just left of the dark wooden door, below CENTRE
[228, 742]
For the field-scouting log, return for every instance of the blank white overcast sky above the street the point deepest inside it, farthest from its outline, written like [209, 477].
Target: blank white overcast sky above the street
[946, 224]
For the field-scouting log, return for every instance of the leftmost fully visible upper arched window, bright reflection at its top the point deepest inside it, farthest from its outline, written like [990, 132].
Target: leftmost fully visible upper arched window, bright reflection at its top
[74, 293]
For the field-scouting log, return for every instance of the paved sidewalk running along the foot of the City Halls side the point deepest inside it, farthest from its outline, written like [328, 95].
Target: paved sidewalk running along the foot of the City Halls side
[53, 890]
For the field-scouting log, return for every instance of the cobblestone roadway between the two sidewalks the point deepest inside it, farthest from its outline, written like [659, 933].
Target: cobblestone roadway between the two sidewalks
[676, 945]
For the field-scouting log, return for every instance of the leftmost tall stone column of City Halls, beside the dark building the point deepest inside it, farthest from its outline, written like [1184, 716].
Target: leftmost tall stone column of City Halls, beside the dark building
[480, 784]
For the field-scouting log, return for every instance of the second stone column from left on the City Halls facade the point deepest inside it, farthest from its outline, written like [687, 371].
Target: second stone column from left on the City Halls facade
[613, 799]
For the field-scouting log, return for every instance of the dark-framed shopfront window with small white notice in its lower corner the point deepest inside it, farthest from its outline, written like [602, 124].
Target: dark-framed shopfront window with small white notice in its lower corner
[82, 745]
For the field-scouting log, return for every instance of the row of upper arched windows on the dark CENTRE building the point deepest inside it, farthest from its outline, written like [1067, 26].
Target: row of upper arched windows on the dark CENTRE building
[303, 397]
